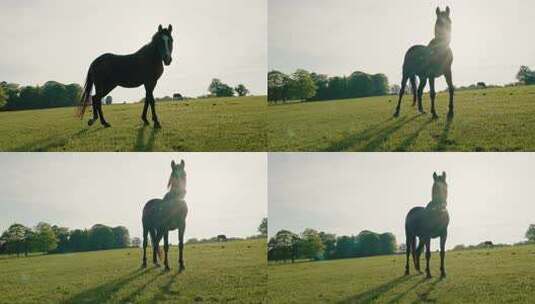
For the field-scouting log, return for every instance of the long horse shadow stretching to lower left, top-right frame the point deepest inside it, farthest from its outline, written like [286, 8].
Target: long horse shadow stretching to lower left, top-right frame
[375, 136]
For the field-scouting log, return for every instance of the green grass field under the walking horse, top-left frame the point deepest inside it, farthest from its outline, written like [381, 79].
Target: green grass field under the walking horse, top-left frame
[223, 124]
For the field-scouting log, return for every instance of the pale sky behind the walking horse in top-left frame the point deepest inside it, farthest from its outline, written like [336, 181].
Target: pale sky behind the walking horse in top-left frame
[58, 39]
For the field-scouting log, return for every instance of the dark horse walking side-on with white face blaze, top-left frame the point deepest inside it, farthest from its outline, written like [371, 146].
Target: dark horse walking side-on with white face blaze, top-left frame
[143, 67]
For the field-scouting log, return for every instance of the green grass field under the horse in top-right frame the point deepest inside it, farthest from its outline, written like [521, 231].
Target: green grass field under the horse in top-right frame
[486, 120]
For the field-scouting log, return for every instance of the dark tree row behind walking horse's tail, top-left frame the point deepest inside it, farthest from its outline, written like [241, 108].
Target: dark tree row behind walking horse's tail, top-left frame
[50, 95]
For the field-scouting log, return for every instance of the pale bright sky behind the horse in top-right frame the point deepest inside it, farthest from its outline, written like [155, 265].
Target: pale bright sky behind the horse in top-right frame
[490, 39]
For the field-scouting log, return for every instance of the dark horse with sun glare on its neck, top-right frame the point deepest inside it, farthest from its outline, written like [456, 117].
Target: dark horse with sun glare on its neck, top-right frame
[430, 62]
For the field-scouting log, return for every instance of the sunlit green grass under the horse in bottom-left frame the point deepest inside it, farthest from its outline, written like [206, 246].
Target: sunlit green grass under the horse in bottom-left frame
[233, 272]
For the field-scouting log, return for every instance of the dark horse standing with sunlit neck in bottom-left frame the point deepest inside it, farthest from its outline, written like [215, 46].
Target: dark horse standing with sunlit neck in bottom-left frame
[163, 215]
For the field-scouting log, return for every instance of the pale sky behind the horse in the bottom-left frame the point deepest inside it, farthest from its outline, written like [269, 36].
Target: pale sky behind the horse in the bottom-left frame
[226, 192]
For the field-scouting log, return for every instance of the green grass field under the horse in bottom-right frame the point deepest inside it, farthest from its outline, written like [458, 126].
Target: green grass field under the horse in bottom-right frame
[505, 275]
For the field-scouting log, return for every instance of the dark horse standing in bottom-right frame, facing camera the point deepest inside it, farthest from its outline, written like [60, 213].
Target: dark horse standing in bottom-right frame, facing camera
[426, 224]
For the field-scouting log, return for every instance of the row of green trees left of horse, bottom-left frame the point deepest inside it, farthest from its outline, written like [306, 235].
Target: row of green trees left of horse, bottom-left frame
[19, 239]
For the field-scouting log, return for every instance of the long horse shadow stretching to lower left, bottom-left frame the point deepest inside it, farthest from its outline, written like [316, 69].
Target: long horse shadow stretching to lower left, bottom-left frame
[106, 290]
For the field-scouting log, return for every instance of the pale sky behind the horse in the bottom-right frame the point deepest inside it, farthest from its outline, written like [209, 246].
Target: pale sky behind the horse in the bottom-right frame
[490, 195]
